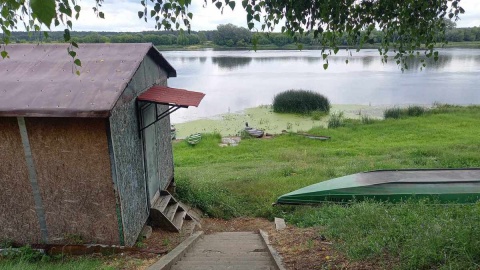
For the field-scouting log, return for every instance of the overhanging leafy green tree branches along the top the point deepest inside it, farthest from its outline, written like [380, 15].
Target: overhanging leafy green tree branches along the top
[407, 25]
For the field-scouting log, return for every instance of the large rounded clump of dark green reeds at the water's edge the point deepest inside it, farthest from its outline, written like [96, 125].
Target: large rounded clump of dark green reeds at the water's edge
[300, 101]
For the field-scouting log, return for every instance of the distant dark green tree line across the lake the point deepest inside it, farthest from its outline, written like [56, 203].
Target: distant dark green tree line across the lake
[227, 35]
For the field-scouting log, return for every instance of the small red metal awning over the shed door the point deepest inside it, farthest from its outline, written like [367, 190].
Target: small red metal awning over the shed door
[171, 96]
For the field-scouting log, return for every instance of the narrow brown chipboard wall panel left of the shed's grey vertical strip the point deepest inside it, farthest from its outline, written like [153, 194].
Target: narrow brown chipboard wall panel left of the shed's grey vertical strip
[18, 220]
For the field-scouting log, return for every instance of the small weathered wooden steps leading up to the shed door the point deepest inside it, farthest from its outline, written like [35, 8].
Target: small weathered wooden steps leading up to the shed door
[168, 213]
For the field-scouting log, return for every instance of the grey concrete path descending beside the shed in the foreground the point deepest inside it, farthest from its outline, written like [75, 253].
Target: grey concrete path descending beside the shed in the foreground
[228, 250]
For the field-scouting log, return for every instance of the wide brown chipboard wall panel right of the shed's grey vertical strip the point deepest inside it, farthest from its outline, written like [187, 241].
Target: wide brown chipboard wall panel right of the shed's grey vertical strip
[74, 176]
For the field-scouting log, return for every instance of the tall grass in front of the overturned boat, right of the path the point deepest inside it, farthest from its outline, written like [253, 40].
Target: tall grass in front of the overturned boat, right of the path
[421, 235]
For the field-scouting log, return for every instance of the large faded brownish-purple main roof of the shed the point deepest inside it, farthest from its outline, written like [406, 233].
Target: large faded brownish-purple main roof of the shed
[39, 80]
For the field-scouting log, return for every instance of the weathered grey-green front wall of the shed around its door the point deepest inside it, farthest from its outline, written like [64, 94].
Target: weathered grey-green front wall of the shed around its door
[128, 154]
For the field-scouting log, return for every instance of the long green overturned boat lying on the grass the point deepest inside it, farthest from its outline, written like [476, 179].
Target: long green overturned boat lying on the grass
[442, 185]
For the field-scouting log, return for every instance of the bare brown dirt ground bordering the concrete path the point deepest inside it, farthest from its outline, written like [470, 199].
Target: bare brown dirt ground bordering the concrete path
[300, 248]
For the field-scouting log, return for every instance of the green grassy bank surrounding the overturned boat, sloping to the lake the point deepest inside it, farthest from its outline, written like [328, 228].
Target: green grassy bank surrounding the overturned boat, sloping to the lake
[245, 180]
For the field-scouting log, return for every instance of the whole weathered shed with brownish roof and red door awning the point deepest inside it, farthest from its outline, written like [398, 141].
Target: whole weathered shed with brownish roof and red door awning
[84, 156]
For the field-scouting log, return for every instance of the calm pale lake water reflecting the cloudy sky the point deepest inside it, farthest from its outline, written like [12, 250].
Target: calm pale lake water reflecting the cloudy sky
[235, 80]
